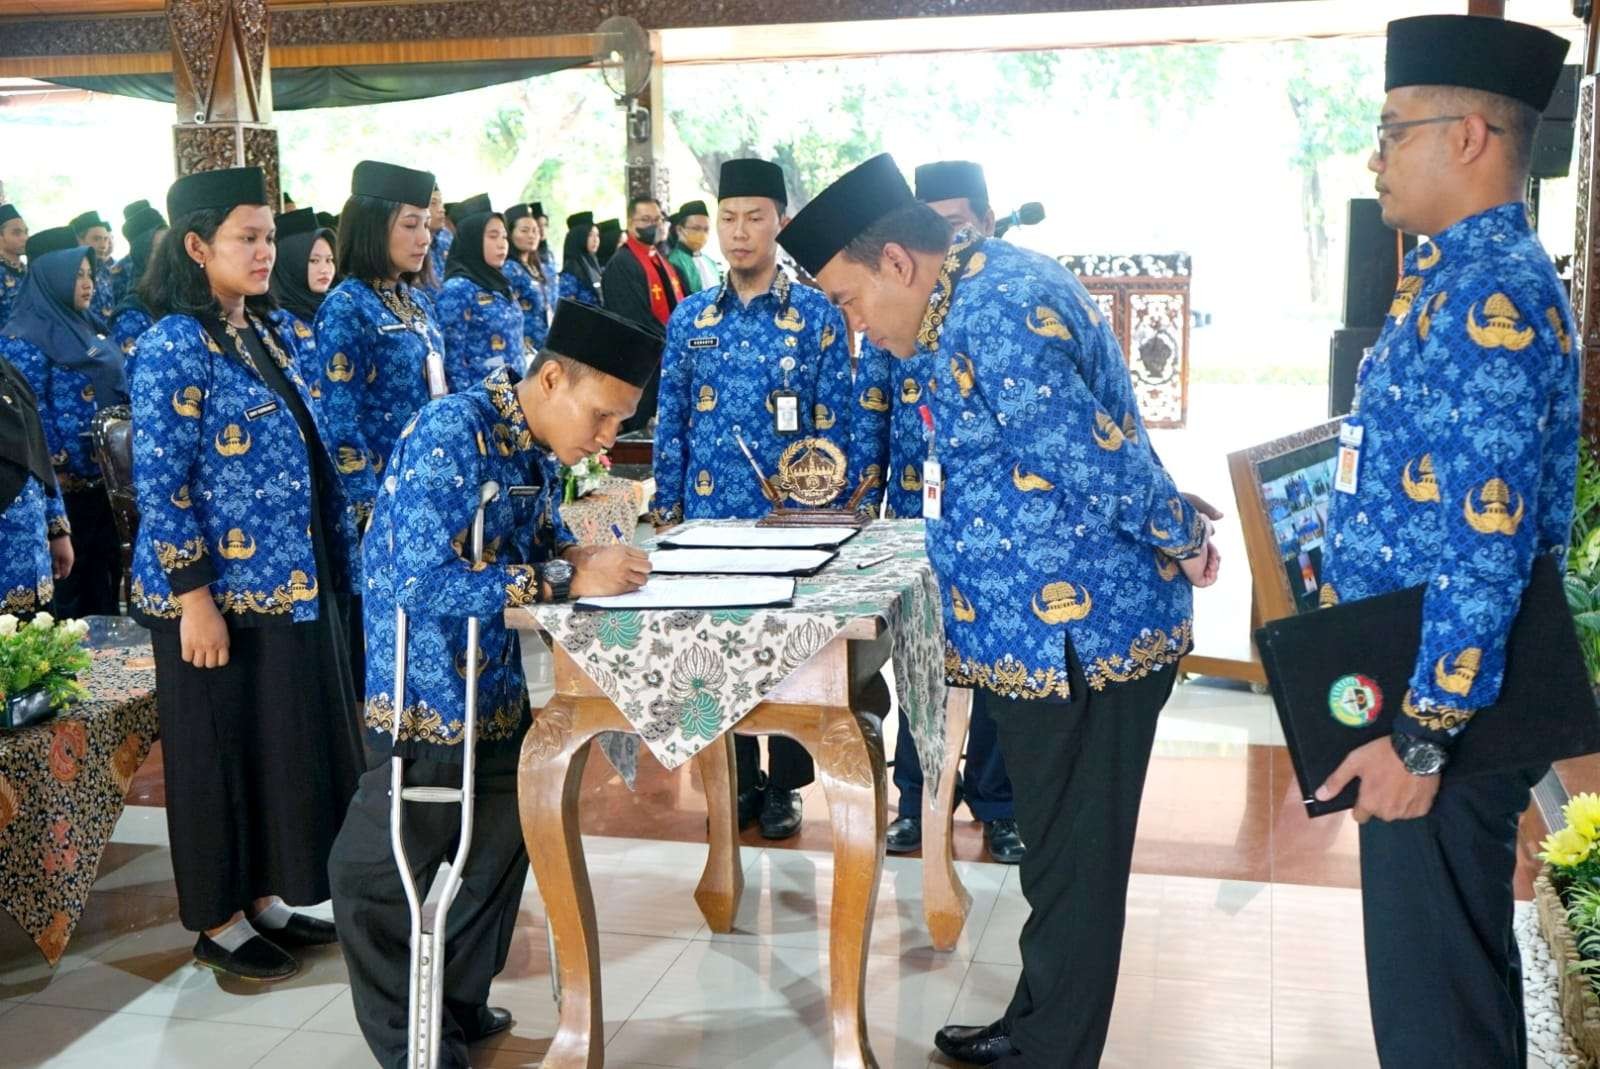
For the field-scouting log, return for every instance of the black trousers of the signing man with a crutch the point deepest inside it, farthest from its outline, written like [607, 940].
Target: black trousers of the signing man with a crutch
[370, 908]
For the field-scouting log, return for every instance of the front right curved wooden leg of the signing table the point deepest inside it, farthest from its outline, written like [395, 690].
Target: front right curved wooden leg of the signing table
[850, 764]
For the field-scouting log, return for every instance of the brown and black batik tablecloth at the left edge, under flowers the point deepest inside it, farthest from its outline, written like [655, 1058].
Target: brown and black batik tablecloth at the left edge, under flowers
[62, 791]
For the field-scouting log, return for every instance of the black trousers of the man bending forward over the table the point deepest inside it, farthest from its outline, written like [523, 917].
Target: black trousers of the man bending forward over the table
[1078, 771]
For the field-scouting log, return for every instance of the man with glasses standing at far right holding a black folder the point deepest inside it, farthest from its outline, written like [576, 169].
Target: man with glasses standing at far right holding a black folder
[1466, 438]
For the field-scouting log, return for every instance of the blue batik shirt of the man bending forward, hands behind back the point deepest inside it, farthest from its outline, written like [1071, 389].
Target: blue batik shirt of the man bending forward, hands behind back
[1058, 519]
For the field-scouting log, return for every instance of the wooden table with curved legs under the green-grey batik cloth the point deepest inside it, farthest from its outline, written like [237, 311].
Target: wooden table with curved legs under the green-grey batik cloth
[820, 707]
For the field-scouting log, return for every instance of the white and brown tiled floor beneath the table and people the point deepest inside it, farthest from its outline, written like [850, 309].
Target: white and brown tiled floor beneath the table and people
[1244, 931]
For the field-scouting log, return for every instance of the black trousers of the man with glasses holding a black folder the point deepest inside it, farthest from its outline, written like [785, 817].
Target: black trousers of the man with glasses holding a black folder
[1444, 974]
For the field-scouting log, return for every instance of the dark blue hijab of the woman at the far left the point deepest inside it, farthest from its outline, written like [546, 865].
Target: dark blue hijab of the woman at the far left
[44, 316]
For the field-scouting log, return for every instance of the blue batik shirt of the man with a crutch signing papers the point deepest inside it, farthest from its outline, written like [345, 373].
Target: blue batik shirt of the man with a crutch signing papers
[418, 553]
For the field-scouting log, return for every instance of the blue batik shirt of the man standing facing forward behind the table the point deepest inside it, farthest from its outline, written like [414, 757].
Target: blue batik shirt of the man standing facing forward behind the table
[721, 370]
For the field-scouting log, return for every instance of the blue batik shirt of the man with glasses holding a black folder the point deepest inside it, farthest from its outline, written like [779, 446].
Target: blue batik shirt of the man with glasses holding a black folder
[1470, 417]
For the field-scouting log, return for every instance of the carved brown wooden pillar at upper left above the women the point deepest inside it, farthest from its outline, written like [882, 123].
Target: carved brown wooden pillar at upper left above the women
[223, 87]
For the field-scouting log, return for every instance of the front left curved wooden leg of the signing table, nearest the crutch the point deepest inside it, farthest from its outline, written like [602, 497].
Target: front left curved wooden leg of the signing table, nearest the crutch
[551, 772]
